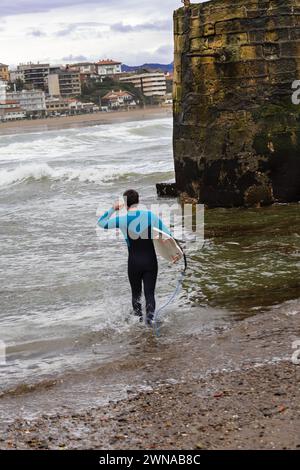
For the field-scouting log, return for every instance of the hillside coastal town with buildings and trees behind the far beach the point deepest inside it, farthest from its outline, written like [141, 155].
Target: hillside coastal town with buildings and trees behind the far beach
[39, 91]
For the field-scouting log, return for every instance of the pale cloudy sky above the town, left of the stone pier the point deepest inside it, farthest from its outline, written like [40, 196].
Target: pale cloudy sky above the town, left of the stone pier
[61, 31]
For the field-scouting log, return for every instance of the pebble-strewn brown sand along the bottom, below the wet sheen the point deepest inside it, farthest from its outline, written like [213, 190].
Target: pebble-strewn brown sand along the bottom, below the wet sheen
[184, 416]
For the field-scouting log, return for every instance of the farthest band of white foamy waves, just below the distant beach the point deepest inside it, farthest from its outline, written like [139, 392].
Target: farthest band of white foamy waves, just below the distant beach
[85, 141]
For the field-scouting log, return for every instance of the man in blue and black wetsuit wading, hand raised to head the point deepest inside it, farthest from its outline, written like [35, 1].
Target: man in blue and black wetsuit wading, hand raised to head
[137, 228]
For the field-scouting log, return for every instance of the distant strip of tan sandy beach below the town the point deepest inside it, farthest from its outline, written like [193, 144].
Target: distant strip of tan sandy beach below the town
[82, 120]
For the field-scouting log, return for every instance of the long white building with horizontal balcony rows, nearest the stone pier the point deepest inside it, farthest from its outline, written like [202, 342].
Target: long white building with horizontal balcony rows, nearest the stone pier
[150, 84]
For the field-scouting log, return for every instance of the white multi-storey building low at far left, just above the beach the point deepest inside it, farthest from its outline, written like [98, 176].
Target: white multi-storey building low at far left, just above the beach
[32, 101]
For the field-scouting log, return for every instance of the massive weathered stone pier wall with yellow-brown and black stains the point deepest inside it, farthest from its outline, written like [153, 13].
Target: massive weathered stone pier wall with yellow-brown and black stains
[236, 131]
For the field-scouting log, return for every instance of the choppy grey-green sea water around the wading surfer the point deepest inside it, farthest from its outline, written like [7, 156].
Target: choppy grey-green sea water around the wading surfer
[64, 293]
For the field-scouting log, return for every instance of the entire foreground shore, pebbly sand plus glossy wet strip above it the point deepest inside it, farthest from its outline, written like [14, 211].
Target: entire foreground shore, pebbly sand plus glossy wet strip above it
[236, 388]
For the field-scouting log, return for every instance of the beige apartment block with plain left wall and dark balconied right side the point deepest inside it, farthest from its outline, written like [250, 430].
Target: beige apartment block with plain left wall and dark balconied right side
[65, 83]
